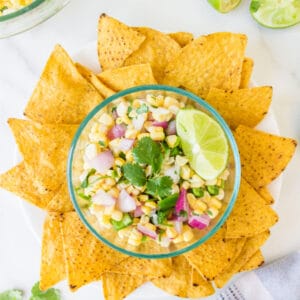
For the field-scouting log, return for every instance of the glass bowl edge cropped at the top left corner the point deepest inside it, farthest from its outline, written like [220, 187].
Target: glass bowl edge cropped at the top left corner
[29, 16]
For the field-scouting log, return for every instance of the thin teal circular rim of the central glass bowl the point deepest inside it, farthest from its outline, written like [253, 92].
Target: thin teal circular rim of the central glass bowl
[220, 120]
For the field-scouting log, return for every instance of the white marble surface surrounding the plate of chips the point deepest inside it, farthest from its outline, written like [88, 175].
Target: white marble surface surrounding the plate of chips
[277, 60]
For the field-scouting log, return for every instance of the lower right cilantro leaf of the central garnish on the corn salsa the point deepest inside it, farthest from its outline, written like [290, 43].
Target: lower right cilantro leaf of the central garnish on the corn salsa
[160, 186]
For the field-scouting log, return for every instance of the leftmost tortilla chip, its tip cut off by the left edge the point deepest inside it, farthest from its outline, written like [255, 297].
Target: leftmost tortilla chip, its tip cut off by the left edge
[21, 182]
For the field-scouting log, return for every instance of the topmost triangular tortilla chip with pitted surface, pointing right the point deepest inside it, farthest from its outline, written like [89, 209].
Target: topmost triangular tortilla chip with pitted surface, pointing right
[116, 41]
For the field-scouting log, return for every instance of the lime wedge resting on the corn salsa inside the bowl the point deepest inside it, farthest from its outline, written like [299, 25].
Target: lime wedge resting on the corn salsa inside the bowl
[203, 142]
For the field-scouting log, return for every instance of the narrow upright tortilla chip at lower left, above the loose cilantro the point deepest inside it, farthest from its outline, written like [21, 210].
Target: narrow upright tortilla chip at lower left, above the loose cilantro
[53, 267]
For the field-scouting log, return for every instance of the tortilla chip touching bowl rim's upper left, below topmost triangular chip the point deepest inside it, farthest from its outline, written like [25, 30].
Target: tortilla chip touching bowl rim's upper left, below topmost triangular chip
[126, 77]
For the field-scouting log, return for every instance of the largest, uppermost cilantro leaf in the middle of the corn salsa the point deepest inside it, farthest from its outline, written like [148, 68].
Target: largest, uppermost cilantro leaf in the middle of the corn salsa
[148, 152]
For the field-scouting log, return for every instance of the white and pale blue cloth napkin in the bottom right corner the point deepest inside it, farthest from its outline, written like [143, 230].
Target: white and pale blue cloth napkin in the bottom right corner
[279, 280]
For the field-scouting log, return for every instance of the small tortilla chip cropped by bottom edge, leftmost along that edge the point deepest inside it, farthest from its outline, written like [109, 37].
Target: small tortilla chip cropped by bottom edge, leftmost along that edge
[118, 286]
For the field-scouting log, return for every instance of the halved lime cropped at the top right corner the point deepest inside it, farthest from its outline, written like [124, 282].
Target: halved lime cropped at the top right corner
[276, 13]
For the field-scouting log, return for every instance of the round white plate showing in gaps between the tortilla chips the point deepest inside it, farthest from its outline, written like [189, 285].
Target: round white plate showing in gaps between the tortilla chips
[35, 217]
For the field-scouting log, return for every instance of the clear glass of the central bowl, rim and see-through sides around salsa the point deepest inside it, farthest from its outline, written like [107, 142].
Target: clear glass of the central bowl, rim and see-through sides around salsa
[151, 249]
